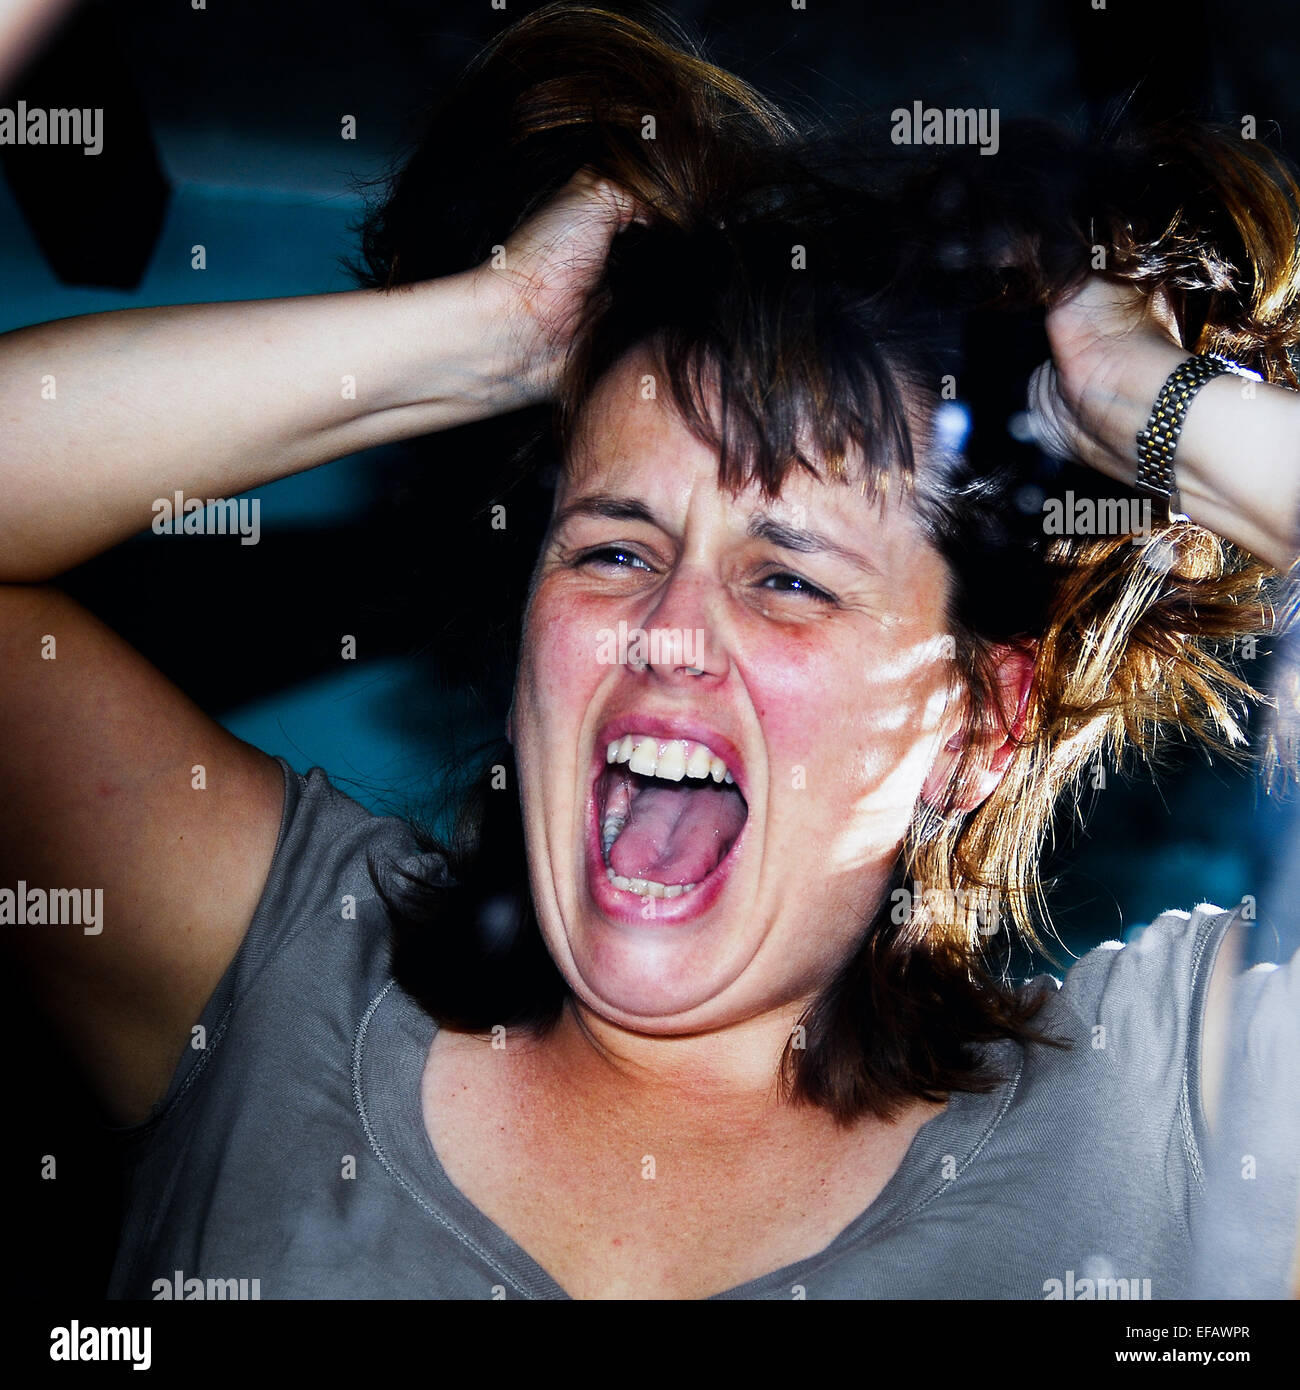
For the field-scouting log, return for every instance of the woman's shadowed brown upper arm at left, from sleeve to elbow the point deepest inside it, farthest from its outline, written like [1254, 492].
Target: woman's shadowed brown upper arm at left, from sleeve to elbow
[123, 799]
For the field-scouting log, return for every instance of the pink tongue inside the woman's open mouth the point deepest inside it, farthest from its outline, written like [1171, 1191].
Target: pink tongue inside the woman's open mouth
[678, 835]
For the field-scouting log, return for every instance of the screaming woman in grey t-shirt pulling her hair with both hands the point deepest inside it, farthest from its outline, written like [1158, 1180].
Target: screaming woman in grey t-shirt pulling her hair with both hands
[739, 1031]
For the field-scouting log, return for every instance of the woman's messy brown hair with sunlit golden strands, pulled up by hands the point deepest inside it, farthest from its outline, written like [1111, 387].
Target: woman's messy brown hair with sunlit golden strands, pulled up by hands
[809, 300]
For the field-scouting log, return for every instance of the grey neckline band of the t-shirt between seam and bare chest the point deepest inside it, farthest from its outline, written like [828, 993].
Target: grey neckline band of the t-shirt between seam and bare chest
[390, 1052]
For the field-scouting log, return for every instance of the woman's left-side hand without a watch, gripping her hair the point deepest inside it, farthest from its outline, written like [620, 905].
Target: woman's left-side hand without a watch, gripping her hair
[543, 275]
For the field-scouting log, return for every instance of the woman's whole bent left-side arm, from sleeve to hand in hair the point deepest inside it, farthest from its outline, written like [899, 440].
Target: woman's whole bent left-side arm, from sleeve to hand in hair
[115, 787]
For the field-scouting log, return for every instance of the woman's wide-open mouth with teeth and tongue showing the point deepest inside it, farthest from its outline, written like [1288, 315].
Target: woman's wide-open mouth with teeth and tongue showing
[668, 812]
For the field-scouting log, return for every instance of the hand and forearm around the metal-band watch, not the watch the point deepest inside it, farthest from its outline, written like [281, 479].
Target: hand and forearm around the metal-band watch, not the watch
[1238, 461]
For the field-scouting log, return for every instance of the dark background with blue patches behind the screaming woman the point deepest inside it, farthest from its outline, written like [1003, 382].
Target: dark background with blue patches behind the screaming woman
[223, 129]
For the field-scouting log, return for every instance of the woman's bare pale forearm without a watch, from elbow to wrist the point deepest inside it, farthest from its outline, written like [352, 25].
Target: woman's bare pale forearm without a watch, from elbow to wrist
[105, 414]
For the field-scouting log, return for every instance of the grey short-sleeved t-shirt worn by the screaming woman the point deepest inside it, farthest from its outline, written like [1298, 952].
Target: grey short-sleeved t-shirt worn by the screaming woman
[290, 1147]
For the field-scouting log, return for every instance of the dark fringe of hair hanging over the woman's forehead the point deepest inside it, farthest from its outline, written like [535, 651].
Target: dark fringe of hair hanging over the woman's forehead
[772, 375]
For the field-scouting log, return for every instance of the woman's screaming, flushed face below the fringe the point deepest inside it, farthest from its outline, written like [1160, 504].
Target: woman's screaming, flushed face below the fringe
[825, 686]
